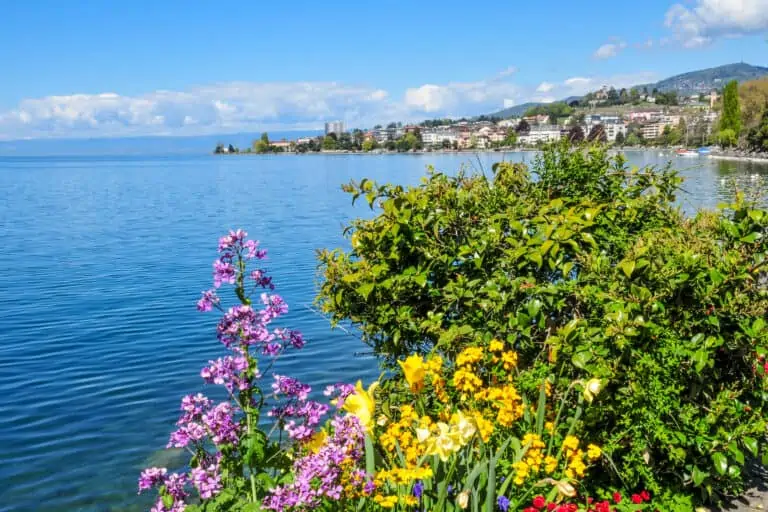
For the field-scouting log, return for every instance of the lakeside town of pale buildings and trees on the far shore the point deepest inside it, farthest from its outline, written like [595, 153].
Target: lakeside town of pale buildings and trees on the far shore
[632, 117]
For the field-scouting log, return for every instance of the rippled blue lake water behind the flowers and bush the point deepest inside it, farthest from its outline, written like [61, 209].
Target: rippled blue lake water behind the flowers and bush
[101, 263]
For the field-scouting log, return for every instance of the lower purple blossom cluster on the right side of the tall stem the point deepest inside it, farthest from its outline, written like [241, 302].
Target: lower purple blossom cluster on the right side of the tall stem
[298, 414]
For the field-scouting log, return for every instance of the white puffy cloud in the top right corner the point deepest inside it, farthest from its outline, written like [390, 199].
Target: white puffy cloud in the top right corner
[709, 19]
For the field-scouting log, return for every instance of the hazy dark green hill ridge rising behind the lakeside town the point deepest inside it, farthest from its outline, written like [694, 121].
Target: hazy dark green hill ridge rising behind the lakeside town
[693, 82]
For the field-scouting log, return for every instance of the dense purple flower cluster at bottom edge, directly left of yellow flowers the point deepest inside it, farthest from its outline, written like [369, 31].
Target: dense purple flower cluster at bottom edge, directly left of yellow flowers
[321, 474]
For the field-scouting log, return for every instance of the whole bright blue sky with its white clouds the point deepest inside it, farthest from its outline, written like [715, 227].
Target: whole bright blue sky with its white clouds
[95, 68]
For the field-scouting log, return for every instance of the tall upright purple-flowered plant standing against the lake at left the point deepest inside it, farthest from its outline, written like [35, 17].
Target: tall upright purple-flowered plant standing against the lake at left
[224, 426]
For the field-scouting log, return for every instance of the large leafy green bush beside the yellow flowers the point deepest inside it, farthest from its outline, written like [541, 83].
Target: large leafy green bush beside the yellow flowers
[585, 268]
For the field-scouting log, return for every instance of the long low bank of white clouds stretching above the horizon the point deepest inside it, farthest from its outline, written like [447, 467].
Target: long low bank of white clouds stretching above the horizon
[248, 106]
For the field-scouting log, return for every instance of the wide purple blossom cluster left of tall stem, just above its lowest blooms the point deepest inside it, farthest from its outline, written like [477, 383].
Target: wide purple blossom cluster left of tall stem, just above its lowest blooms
[201, 420]
